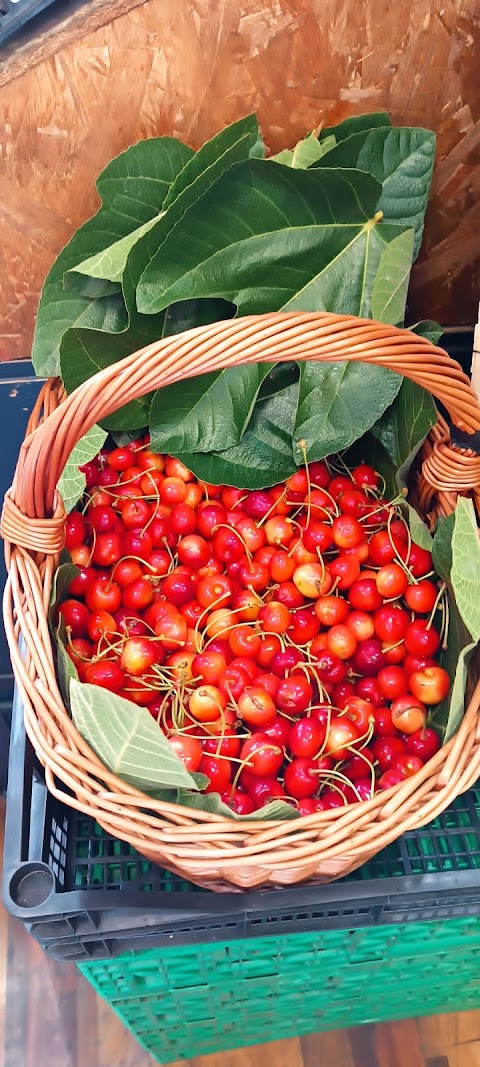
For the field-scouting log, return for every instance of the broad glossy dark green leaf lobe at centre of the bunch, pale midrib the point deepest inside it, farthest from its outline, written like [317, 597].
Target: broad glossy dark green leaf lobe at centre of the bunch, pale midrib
[275, 229]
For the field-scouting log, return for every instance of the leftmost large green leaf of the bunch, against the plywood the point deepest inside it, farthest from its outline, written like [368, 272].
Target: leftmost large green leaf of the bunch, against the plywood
[133, 189]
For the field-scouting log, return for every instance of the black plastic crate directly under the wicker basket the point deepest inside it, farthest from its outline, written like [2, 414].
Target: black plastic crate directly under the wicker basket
[83, 895]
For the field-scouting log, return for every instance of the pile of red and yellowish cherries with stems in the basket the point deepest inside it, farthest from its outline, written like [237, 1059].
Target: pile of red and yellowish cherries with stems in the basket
[284, 640]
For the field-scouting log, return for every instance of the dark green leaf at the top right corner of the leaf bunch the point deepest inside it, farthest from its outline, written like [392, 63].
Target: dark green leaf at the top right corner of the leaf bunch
[403, 161]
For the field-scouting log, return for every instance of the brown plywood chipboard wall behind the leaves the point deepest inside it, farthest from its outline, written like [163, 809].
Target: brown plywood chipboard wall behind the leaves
[187, 69]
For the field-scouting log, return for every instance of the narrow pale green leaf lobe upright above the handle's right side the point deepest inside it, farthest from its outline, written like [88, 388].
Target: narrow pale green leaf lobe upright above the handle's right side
[389, 292]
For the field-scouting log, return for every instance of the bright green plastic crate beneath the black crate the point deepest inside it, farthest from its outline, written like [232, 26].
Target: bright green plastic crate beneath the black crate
[189, 1001]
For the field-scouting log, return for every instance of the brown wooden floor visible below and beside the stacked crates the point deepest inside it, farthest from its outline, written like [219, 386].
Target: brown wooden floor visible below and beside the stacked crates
[52, 1017]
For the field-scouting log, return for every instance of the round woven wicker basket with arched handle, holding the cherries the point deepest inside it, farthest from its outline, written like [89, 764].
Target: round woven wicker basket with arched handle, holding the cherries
[211, 850]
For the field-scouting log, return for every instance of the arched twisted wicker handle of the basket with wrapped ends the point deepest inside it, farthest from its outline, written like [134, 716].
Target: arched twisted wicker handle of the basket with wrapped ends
[34, 515]
